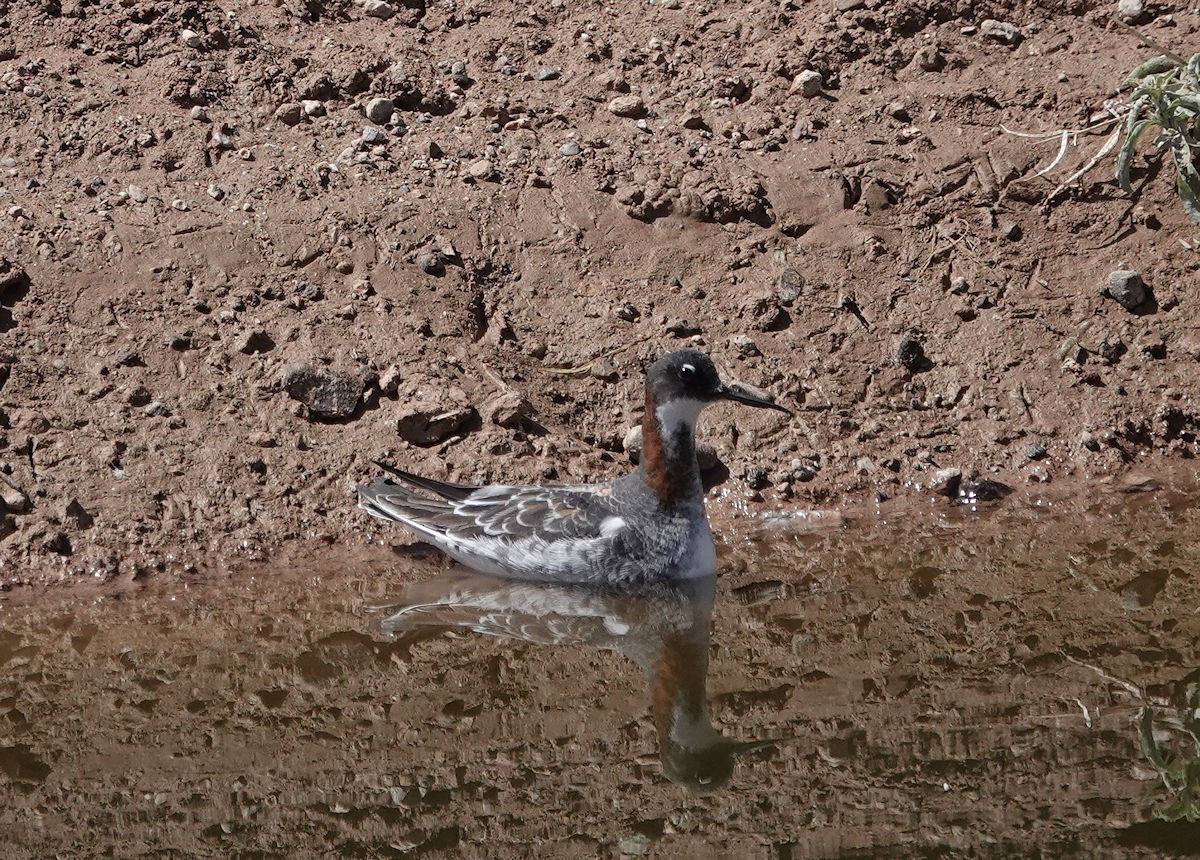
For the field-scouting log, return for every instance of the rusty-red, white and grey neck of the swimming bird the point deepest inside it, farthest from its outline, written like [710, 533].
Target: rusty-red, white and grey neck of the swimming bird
[669, 450]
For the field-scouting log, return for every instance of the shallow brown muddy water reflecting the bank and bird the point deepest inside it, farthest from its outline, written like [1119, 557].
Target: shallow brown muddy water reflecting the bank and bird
[945, 683]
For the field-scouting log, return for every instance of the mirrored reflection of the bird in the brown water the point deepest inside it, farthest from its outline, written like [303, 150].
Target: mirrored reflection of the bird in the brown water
[664, 628]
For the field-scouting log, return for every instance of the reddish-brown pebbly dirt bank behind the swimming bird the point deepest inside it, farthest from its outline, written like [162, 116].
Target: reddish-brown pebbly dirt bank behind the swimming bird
[248, 248]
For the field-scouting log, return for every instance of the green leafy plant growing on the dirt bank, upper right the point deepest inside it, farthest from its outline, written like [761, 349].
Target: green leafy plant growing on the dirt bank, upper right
[1167, 94]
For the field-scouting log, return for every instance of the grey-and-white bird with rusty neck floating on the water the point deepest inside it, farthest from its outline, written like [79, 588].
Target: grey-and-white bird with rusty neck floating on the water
[646, 526]
